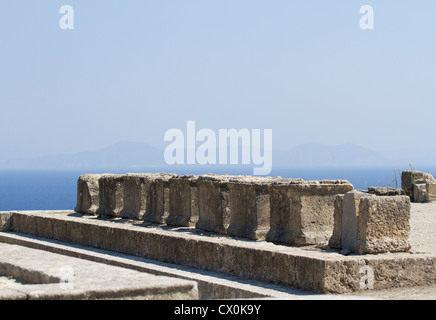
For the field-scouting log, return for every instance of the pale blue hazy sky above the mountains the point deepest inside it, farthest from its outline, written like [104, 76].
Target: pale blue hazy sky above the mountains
[130, 70]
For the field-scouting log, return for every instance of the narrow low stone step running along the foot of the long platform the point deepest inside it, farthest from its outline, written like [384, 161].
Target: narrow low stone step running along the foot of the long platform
[210, 285]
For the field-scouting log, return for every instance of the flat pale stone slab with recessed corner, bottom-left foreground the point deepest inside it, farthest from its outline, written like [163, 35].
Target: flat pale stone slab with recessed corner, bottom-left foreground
[47, 275]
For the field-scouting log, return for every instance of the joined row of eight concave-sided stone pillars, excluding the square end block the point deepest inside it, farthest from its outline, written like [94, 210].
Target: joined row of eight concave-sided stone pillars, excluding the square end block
[285, 210]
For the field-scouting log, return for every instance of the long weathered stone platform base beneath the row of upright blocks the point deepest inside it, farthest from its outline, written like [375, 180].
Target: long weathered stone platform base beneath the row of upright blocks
[307, 268]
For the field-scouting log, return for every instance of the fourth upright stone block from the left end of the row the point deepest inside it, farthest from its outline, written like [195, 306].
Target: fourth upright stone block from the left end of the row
[158, 198]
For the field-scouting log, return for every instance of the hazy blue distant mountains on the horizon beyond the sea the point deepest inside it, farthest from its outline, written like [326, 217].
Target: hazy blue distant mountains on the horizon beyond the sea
[130, 155]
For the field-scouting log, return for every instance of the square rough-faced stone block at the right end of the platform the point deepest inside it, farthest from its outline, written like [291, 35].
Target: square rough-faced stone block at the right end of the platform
[383, 225]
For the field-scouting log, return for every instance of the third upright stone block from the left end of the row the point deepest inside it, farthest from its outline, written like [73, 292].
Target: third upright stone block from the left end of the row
[136, 187]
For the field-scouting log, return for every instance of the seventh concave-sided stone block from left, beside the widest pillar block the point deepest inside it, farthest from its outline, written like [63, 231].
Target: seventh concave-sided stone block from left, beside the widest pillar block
[249, 207]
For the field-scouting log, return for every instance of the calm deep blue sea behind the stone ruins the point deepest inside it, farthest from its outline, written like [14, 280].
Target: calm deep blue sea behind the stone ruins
[56, 189]
